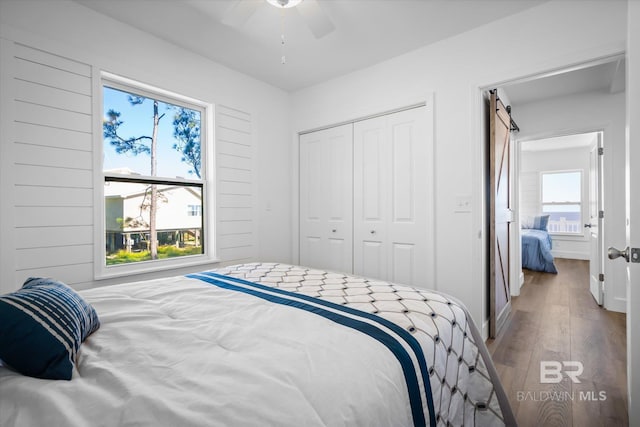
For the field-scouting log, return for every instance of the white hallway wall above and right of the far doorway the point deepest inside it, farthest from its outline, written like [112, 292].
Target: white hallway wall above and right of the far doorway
[592, 111]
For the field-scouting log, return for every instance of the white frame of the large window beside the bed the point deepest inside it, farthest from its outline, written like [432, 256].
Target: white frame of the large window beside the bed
[208, 209]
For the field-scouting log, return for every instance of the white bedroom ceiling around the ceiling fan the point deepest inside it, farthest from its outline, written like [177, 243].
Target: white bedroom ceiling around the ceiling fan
[366, 32]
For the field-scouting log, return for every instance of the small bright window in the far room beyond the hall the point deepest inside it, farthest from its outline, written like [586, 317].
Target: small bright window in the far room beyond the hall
[562, 200]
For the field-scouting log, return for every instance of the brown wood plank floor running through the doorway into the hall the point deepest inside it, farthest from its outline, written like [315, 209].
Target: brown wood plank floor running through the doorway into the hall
[555, 318]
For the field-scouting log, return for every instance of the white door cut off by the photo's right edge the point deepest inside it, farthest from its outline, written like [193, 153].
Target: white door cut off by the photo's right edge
[633, 210]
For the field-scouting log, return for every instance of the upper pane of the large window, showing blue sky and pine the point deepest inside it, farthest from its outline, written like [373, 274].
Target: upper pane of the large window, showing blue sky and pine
[128, 129]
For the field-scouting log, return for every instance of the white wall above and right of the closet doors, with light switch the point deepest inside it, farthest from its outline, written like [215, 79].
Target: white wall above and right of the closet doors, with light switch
[550, 36]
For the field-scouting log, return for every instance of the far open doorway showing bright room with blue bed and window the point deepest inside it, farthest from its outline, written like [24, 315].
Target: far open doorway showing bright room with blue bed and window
[560, 178]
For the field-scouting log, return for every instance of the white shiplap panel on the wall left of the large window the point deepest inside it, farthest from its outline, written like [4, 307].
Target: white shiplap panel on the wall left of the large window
[52, 166]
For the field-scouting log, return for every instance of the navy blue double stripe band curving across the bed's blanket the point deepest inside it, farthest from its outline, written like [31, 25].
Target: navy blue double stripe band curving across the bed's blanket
[373, 331]
